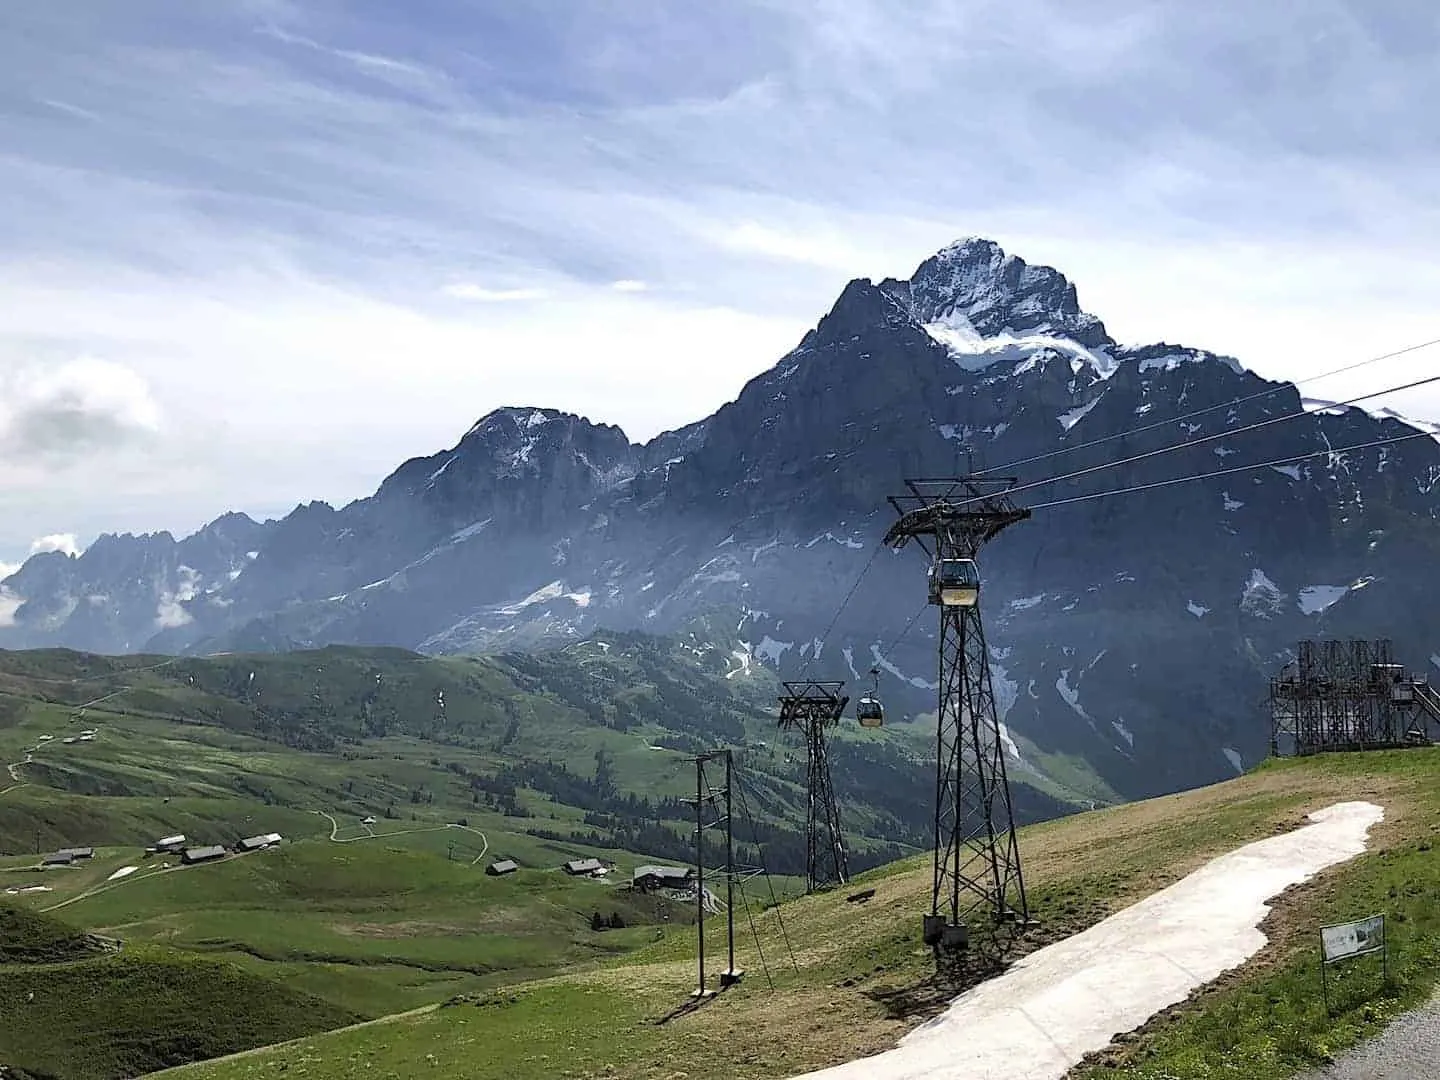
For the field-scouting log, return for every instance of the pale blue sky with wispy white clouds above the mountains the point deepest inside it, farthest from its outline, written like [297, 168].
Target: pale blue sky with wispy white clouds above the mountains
[257, 253]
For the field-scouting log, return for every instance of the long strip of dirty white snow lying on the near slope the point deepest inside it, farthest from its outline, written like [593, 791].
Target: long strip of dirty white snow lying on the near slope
[1039, 1019]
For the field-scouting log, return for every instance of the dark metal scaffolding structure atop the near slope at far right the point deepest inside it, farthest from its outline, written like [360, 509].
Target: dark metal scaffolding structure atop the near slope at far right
[1349, 696]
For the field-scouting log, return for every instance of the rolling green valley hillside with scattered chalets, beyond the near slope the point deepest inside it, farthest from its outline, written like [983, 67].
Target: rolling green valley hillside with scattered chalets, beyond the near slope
[454, 762]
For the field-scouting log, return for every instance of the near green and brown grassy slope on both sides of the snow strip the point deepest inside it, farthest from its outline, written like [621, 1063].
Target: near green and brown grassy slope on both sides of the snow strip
[859, 980]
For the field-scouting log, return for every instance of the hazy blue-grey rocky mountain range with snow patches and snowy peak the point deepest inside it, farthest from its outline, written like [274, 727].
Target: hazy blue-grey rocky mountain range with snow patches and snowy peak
[1131, 637]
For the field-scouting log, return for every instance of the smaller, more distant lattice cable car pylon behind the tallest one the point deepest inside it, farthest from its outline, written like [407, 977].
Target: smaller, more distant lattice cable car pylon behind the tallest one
[814, 708]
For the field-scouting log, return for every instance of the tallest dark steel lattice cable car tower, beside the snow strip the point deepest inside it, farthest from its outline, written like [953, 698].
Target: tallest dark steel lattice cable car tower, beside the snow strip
[977, 859]
